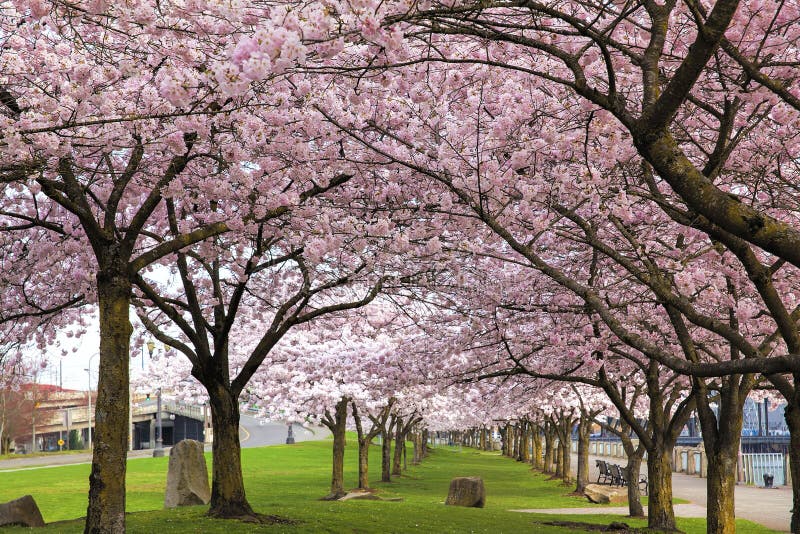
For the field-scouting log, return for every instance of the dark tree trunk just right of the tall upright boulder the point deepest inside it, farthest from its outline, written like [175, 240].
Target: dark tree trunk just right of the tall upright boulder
[228, 498]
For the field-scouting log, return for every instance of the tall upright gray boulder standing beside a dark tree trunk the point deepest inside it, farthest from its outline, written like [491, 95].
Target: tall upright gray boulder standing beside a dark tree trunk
[187, 478]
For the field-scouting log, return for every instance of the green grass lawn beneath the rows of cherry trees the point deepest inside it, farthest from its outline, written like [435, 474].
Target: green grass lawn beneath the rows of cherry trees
[288, 481]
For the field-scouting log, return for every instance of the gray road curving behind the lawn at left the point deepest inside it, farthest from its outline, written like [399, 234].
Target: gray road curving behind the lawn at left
[253, 432]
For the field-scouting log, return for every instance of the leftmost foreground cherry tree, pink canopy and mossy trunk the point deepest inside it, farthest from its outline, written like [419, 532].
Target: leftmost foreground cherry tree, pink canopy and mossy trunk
[108, 111]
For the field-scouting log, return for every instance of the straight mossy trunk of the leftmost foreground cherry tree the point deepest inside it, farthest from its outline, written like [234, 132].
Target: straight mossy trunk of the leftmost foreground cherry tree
[106, 509]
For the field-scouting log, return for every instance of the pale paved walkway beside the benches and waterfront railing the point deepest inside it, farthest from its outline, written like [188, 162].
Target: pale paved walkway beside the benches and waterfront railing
[768, 507]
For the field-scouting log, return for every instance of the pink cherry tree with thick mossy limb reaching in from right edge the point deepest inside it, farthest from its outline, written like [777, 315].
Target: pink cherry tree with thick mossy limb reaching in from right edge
[700, 92]
